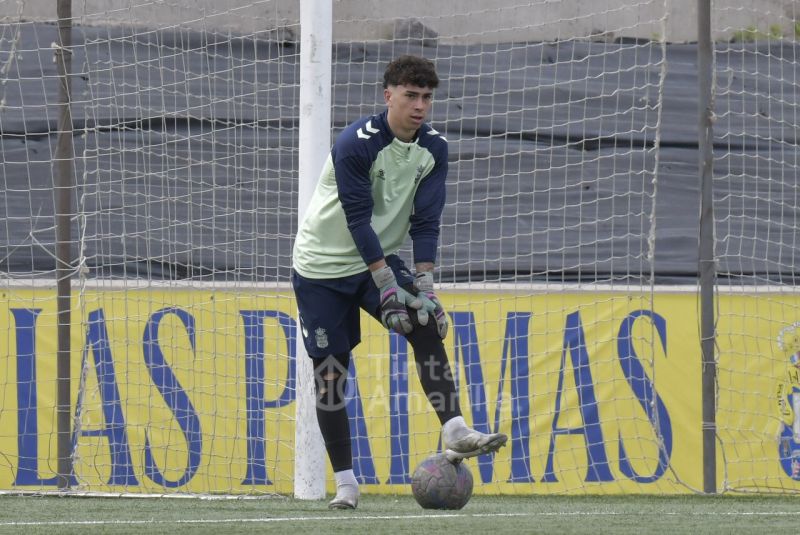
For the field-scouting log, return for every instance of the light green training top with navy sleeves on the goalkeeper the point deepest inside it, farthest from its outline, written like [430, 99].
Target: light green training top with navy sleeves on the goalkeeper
[373, 191]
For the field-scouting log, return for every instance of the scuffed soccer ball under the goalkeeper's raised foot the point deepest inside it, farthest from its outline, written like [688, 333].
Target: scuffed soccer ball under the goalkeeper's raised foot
[439, 484]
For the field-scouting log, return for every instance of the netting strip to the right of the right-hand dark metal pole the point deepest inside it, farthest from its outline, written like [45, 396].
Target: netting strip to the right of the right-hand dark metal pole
[755, 203]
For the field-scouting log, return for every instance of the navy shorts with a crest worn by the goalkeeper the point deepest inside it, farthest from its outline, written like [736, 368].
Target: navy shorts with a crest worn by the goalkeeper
[330, 321]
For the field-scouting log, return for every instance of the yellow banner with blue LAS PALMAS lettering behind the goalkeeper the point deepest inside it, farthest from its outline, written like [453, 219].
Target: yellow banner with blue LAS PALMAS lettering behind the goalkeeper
[193, 390]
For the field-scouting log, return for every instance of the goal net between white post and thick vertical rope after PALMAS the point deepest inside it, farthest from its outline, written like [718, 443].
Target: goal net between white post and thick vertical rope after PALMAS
[552, 114]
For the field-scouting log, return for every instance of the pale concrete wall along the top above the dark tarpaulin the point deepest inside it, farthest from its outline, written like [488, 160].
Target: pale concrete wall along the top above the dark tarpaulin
[463, 21]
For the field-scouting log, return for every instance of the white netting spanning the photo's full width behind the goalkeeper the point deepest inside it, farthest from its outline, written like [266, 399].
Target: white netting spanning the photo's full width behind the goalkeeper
[567, 259]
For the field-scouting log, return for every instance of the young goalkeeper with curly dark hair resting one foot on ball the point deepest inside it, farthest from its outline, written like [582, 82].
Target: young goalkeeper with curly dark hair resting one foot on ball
[384, 179]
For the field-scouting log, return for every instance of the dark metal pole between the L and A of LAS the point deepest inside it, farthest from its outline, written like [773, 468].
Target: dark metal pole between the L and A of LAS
[63, 192]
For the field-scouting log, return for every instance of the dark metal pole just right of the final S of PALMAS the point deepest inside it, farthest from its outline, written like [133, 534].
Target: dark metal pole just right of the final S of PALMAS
[706, 267]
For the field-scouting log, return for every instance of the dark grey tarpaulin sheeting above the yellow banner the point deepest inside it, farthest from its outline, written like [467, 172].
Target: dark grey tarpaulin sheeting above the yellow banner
[186, 156]
